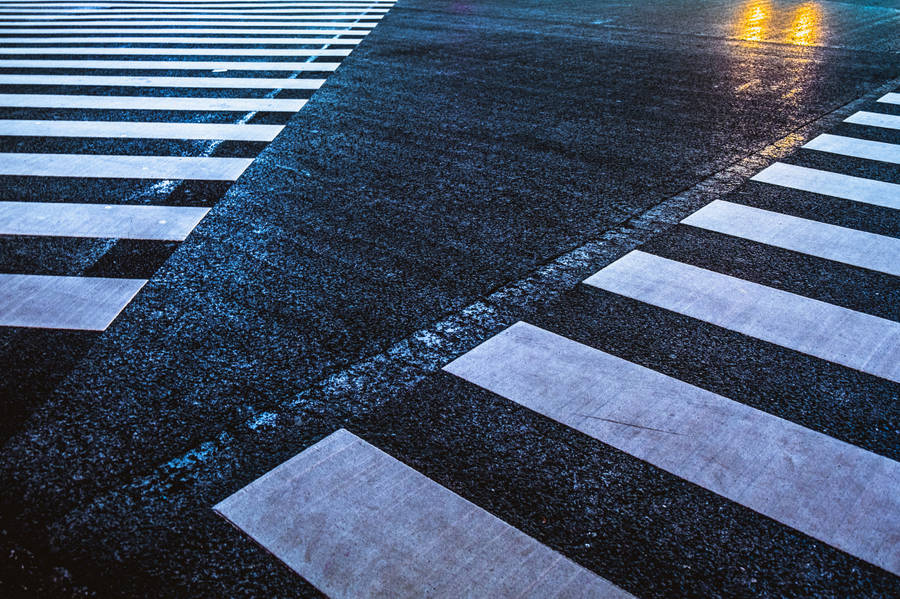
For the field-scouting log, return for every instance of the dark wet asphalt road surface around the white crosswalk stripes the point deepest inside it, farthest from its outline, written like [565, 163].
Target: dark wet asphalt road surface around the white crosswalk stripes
[467, 164]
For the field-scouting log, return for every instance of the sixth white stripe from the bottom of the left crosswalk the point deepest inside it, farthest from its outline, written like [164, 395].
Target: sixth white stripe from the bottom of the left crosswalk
[198, 82]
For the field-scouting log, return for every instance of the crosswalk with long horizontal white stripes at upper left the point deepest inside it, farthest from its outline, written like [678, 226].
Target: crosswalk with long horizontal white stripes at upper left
[152, 94]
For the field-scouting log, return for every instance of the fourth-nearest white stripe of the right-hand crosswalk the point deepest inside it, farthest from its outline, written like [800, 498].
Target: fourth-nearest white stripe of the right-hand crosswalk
[859, 248]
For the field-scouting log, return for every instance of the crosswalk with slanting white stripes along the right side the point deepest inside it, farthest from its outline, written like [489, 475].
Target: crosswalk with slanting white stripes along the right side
[356, 522]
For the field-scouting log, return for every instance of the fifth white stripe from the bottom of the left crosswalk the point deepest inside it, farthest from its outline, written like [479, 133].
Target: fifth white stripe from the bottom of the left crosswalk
[150, 103]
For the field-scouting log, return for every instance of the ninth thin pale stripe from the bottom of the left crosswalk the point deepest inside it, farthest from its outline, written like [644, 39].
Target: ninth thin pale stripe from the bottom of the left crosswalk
[284, 41]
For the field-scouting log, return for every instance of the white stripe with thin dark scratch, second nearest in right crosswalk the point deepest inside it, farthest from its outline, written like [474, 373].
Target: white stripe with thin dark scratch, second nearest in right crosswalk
[828, 489]
